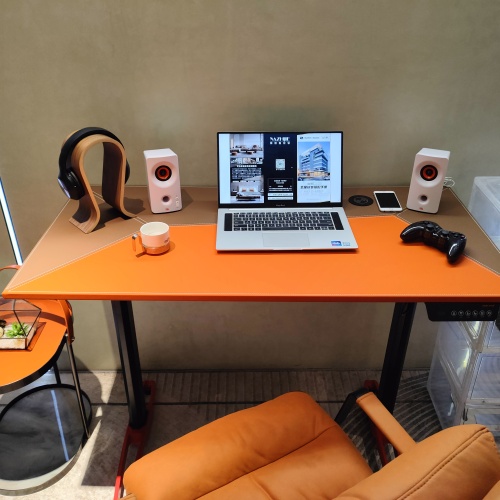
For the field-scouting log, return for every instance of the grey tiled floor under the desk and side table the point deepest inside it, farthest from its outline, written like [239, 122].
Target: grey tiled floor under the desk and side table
[188, 399]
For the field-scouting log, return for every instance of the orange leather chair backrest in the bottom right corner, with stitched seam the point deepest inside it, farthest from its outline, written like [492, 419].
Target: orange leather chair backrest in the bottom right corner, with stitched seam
[458, 463]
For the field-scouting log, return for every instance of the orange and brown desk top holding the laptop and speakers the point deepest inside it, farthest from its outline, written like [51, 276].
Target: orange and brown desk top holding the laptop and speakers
[102, 265]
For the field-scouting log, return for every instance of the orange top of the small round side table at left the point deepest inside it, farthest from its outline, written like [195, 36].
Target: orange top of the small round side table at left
[21, 366]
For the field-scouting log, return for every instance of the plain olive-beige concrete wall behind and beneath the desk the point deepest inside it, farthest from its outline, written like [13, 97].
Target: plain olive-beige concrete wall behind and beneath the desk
[394, 75]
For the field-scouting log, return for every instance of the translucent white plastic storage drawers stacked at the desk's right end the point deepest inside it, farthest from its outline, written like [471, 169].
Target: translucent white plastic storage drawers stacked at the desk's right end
[464, 380]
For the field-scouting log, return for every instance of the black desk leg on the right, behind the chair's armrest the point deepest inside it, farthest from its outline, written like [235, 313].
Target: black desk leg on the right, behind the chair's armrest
[399, 335]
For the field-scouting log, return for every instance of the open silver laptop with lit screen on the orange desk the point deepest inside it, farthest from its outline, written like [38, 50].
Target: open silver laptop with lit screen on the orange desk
[281, 191]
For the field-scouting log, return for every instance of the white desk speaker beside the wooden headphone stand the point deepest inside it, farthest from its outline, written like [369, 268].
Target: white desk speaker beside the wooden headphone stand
[164, 182]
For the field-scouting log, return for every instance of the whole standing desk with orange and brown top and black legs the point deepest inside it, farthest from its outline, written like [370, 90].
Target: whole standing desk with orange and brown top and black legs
[69, 264]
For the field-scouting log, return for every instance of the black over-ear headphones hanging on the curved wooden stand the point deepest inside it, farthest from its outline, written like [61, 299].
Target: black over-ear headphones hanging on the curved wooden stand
[67, 179]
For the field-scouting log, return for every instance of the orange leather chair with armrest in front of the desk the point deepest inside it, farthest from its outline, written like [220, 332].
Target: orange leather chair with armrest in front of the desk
[290, 448]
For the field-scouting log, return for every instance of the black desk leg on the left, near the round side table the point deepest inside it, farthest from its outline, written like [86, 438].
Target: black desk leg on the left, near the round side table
[129, 355]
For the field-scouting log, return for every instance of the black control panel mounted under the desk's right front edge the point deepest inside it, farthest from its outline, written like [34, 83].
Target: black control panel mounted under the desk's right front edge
[462, 311]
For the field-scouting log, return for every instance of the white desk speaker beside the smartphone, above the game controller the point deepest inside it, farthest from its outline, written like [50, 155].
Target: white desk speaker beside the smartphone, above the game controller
[427, 180]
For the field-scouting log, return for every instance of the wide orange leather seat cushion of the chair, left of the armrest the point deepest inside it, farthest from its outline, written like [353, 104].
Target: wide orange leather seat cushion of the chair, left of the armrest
[285, 448]
